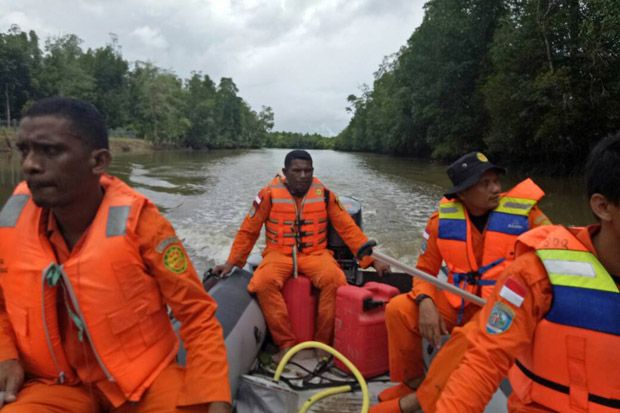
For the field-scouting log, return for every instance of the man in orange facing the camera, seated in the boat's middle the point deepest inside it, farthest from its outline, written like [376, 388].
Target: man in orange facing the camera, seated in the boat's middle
[296, 210]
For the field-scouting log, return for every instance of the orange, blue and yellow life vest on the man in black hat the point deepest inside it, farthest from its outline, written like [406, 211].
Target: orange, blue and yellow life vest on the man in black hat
[504, 225]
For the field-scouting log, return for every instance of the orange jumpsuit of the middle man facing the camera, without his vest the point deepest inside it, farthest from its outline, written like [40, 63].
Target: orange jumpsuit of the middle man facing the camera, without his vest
[277, 267]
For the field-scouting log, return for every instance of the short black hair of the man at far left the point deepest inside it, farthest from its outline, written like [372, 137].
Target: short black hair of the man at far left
[86, 121]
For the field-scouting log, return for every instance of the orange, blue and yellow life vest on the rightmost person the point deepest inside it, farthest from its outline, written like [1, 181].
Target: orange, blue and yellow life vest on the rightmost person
[573, 363]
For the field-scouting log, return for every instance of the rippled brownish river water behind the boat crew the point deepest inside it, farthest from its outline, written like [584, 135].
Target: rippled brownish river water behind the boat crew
[206, 194]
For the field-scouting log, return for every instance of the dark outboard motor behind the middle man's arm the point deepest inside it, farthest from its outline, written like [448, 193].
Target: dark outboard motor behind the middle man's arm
[342, 254]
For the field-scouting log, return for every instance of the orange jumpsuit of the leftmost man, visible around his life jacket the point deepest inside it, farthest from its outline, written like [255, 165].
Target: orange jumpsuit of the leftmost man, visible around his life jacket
[191, 388]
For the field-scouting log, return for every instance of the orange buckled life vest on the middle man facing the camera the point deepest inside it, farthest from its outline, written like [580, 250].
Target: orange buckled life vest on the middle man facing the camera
[288, 228]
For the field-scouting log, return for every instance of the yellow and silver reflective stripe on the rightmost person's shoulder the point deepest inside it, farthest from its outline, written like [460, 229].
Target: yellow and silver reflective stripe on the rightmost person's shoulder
[576, 269]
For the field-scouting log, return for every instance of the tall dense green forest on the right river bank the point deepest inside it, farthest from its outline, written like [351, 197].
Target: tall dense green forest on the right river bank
[534, 83]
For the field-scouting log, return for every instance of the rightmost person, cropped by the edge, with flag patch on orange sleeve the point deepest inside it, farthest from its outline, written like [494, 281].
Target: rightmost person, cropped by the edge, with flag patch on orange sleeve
[552, 323]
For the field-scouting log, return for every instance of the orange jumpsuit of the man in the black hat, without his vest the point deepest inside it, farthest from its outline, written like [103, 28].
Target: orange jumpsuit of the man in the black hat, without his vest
[402, 316]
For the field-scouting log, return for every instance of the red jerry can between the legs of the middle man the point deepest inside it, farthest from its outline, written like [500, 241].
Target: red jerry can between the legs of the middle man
[301, 304]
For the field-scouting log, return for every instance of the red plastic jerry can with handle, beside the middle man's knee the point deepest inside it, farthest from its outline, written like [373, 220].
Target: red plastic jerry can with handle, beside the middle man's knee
[360, 332]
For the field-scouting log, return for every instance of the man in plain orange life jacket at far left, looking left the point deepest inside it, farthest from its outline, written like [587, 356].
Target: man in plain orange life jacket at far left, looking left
[88, 267]
